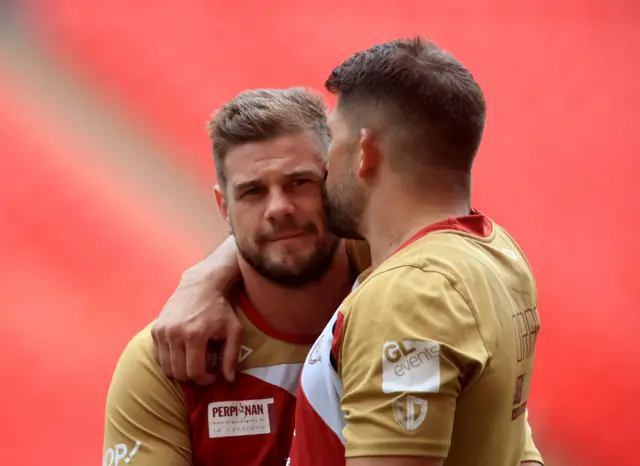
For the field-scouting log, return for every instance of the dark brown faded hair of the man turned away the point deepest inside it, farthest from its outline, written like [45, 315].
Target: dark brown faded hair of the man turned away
[421, 93]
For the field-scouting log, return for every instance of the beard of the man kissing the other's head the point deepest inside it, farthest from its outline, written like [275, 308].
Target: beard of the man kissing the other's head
[344, 204]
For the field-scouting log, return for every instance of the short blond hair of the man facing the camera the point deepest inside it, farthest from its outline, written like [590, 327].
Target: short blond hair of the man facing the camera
[263, 114]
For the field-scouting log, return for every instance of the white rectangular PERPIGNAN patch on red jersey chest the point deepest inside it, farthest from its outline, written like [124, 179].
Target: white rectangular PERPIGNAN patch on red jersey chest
[238, 418]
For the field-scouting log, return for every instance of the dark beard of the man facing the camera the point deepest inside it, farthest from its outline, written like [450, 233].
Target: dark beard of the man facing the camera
[306, 268]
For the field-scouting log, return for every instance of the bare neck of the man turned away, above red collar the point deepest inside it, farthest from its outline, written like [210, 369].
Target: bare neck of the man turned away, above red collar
[386, 229]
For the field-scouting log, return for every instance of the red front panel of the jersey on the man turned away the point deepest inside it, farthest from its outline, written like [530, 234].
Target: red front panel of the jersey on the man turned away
[314, 442]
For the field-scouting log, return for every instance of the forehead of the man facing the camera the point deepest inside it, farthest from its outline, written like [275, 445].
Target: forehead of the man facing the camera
[275, 157]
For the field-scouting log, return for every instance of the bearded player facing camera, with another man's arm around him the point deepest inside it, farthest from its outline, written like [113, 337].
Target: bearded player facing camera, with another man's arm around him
[270, 152]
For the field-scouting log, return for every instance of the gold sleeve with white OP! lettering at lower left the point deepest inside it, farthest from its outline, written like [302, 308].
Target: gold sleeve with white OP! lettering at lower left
[146, 417]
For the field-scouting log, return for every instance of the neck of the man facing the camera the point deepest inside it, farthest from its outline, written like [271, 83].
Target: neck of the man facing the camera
[304, 310]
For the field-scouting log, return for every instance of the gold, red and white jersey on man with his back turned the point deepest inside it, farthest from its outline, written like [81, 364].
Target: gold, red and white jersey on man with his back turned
[430, 356]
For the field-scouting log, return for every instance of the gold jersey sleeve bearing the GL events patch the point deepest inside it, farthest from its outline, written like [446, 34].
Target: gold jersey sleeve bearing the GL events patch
[408, 342]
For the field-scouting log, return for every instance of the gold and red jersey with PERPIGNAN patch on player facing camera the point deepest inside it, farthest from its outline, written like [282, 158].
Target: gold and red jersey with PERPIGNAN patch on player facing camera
[152, 420]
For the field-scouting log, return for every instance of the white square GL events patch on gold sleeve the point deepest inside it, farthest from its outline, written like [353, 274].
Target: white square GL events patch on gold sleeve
[411, 366]
